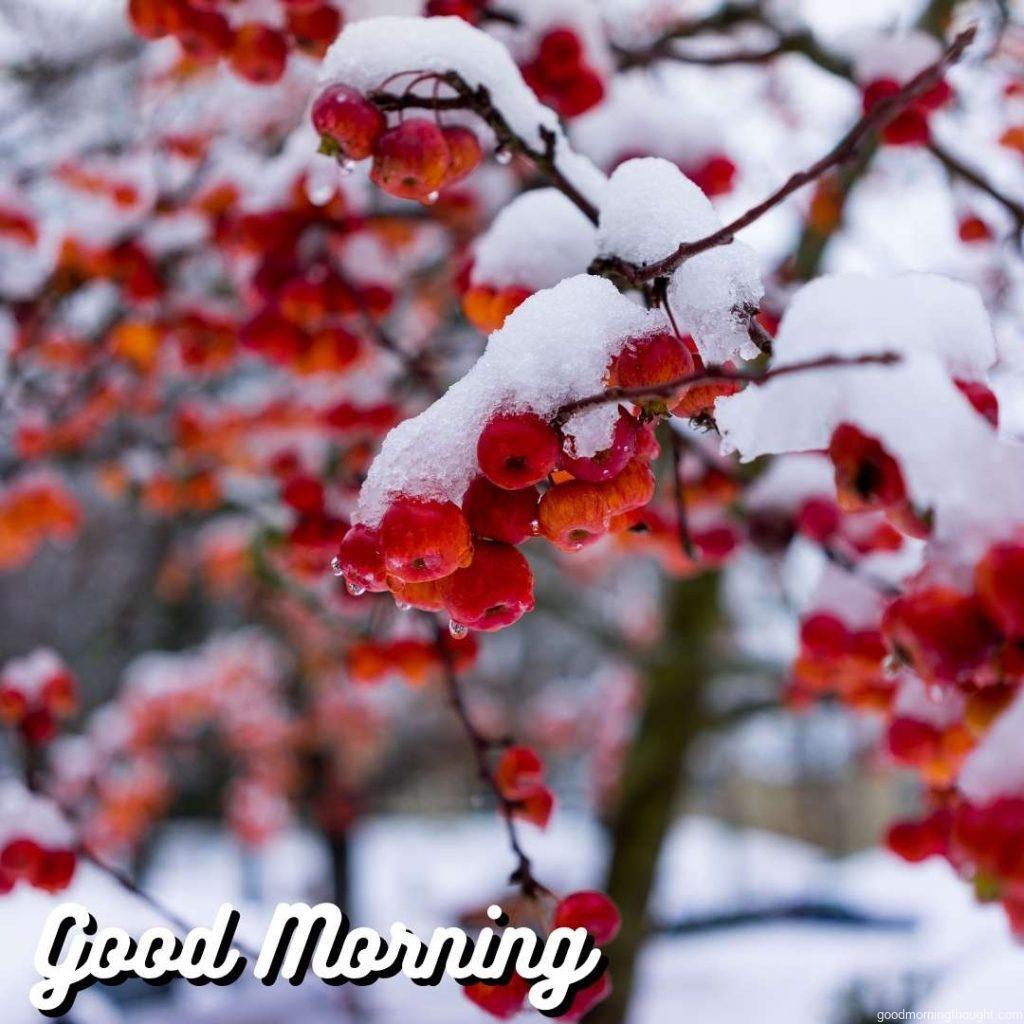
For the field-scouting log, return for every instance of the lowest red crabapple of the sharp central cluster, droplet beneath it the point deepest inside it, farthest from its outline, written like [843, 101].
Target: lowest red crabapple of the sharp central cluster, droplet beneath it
[494, 591]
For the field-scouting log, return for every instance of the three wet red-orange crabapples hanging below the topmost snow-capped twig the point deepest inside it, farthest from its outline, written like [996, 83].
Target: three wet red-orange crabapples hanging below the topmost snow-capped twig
[414, 159]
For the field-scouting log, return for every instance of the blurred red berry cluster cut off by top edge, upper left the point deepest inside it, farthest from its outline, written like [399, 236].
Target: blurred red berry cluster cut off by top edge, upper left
[257, 52]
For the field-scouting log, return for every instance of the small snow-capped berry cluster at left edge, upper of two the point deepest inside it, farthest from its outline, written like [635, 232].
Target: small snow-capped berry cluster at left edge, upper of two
[35, 693]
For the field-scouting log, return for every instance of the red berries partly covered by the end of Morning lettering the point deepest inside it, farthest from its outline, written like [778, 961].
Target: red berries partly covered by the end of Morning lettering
[589, 910]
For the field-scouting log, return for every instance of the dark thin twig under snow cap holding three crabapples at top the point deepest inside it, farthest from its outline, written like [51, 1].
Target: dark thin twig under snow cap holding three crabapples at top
[480, 103]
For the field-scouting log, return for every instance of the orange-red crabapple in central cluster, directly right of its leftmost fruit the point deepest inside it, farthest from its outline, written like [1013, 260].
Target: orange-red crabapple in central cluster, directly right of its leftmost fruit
[424, 540]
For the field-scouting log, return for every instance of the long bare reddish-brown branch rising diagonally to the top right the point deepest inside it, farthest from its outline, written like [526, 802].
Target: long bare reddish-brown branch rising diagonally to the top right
[845, 150]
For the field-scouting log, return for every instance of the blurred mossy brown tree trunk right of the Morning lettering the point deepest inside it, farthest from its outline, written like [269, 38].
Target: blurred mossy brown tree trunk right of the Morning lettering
[676, 679]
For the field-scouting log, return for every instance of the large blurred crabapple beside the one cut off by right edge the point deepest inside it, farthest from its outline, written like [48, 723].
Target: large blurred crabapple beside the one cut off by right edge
[943, 634]
